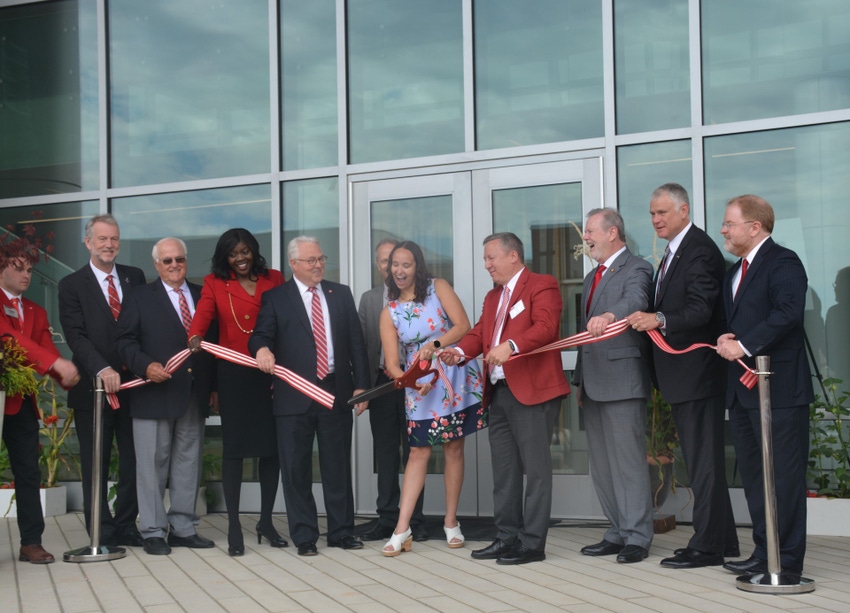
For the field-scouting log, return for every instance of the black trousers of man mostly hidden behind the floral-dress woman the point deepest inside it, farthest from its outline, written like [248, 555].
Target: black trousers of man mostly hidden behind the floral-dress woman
[388, 421]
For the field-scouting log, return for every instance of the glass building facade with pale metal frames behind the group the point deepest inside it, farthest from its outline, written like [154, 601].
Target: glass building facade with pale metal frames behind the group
[438, 121]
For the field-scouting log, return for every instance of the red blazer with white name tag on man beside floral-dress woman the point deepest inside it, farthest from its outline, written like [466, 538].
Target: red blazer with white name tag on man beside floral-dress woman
[534, 379]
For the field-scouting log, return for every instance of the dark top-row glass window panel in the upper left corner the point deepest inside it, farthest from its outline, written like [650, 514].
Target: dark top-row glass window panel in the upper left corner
[48, 98]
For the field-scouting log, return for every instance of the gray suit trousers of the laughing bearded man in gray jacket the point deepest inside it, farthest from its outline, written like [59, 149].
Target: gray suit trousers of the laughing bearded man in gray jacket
[616, 444]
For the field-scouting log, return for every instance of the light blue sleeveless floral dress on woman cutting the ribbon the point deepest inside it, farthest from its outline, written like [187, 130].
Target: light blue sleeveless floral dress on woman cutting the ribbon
[437, 418]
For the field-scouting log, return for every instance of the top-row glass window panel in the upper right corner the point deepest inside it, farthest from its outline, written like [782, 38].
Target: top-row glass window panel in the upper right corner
[767, 58]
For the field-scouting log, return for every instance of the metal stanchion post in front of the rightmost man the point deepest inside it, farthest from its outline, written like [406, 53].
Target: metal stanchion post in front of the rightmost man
[774, 581]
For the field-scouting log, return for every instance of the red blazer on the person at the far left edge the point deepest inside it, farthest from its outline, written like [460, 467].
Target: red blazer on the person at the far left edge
[36, 339]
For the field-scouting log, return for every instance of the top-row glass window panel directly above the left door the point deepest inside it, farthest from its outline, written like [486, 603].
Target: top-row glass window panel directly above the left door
[405, 79]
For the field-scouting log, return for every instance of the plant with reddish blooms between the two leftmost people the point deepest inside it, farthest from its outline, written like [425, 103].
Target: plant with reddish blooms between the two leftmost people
[57, 419]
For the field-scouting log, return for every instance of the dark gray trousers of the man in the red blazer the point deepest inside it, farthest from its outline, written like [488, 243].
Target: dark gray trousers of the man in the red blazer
[520, 435]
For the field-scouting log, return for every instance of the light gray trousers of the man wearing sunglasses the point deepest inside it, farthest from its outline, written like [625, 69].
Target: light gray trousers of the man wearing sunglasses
[168, 451]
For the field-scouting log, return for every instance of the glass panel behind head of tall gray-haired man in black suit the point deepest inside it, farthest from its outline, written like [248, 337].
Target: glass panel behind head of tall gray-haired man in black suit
[640, 169]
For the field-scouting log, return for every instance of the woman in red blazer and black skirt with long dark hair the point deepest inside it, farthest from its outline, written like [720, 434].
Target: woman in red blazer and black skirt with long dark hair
[231, 295]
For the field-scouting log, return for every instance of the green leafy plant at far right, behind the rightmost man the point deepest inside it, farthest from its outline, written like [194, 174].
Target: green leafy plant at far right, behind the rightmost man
[829, 452]
